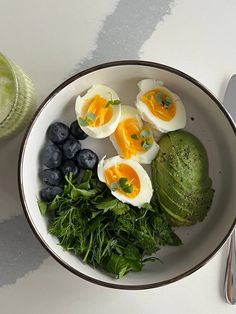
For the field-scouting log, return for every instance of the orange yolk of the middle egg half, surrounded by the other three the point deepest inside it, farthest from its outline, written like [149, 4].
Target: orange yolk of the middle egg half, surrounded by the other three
[127, 136]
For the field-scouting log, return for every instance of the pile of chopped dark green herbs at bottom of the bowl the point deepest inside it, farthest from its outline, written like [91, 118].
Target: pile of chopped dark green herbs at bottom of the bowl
[104, 232]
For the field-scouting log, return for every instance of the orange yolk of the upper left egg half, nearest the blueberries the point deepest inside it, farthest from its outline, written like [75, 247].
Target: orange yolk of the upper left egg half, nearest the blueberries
[97, 107]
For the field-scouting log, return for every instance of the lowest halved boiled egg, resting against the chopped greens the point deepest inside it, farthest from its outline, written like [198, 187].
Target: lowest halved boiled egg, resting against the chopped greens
[127, 180]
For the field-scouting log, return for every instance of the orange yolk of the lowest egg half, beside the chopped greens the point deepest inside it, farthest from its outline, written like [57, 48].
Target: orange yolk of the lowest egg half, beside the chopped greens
[114, 173]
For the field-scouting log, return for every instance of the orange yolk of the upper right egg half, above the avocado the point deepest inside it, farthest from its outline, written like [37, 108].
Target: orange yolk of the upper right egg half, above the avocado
[159, 110]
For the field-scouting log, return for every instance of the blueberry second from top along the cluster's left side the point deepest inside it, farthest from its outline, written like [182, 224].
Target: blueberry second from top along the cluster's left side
[52, 156]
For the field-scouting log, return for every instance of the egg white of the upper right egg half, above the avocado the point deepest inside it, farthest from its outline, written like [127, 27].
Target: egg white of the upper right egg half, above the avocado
[178, 121]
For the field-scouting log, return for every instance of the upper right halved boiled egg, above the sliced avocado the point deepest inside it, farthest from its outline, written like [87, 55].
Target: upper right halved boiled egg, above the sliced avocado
[159, 106]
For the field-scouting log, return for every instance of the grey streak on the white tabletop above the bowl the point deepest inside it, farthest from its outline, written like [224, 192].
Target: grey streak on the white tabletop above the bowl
[126, 30]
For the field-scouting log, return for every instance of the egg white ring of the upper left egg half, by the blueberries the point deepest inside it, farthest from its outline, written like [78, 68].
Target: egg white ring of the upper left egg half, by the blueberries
[105, 129]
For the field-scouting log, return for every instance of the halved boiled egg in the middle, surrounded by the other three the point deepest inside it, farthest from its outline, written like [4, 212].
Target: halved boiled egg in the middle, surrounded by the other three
[132, 139]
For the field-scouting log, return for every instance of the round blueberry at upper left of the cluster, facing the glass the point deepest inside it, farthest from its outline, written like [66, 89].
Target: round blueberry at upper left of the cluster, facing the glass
[58, 132]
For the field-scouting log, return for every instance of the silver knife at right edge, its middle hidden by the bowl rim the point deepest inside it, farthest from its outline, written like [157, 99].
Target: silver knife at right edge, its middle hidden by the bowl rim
[230, 272]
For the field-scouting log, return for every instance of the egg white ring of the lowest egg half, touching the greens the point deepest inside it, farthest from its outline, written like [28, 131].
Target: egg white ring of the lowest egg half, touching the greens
[146, 189]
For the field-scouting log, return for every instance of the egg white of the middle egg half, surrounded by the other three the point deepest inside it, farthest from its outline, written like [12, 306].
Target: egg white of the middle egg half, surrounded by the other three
[145, 157]
